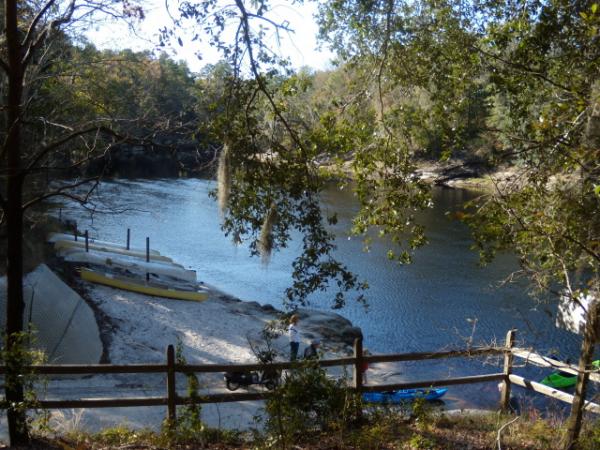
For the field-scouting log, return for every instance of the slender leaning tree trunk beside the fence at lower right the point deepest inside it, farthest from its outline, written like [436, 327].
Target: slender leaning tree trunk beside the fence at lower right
[585, 363]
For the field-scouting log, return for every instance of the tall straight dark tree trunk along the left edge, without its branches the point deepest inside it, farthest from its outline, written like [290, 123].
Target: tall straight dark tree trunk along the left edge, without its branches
[16, 415]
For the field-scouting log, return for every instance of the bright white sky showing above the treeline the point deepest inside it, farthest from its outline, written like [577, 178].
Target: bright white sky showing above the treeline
[300, 47]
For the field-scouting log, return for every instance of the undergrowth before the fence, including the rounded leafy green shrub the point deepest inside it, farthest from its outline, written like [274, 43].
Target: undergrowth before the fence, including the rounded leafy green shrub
[311, 411]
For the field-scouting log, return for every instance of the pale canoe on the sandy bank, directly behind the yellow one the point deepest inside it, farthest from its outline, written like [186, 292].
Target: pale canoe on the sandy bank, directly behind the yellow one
[128, 262]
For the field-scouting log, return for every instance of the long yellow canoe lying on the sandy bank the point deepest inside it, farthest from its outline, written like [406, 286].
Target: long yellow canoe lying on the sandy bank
[179, 291]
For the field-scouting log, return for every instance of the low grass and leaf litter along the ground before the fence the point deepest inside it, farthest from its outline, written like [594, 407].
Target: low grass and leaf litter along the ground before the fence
[381, 429]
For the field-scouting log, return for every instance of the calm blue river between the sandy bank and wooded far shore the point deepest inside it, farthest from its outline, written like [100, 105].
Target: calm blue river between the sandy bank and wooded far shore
[443, 300]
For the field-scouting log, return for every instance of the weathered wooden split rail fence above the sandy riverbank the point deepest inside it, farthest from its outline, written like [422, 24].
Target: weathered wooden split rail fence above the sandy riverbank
[172, 399]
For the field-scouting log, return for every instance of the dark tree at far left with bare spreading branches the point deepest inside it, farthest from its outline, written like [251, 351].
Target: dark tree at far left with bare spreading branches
[30, 59]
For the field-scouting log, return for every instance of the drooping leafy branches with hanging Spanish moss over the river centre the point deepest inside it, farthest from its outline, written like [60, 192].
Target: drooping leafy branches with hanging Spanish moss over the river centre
[269, 180]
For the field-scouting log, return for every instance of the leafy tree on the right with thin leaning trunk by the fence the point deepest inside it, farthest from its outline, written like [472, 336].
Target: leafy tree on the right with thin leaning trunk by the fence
[536, 66]
